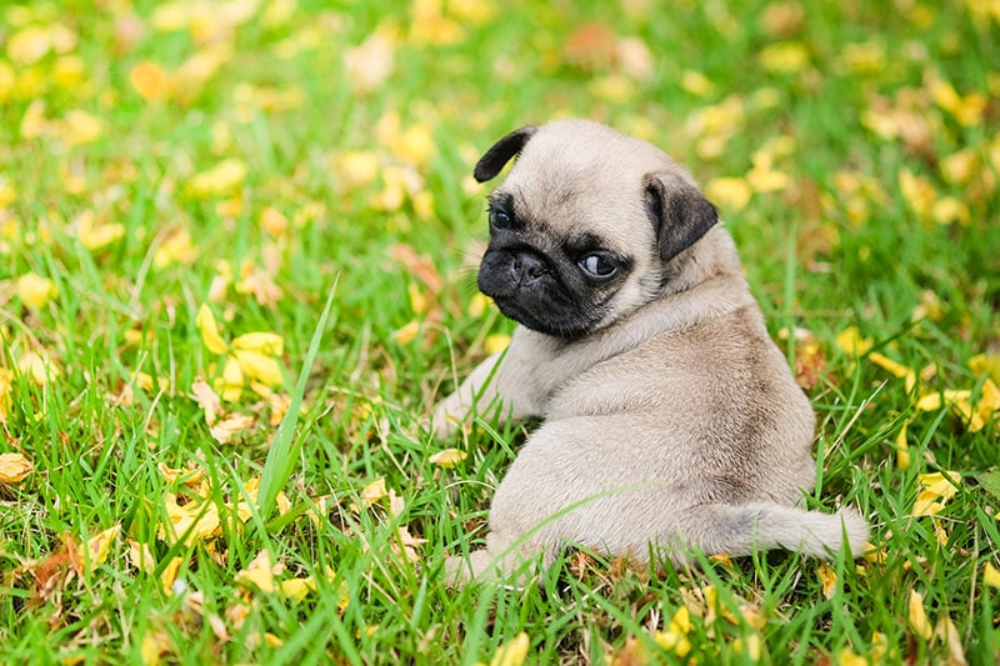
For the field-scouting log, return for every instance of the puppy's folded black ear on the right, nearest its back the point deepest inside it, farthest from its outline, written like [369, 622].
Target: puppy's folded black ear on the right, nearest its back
[680, 213]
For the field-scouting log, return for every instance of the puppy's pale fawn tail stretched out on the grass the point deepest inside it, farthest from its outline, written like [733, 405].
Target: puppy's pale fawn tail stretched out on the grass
[741, 529]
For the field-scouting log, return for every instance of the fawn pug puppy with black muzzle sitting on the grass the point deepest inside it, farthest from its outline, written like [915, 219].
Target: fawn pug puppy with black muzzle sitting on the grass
[671, 419]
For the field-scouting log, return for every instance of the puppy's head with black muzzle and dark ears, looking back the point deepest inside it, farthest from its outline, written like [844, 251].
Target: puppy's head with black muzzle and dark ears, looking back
[587, 226]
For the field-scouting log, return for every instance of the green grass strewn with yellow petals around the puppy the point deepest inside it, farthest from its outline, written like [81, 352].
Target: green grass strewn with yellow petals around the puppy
[216, 218]
